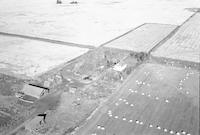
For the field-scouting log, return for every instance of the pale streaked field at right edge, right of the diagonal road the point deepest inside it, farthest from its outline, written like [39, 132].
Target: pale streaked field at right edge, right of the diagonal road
[184, 44]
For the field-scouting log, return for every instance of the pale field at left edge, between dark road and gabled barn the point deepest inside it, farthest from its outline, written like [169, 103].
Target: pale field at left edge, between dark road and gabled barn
[29, 58]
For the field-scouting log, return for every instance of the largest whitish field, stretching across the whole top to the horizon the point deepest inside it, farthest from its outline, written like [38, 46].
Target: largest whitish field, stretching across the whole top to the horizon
[90, 22]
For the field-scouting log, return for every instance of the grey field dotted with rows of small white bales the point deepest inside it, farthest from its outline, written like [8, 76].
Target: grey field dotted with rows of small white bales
[154, 100]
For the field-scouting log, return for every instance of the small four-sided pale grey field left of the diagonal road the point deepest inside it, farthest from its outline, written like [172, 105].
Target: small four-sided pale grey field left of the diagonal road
[144, 38]
